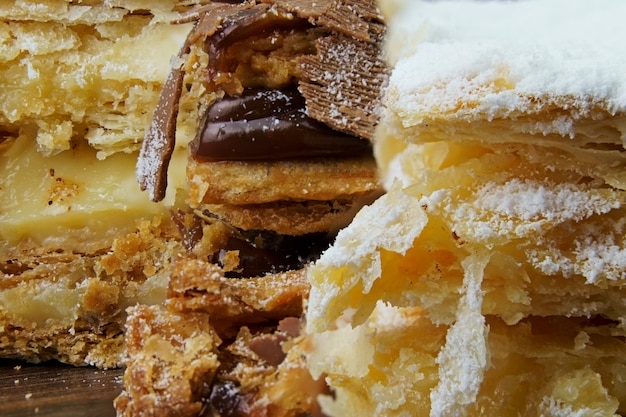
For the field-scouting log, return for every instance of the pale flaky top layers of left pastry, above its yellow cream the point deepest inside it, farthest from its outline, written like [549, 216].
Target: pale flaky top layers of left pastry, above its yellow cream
[94, 71]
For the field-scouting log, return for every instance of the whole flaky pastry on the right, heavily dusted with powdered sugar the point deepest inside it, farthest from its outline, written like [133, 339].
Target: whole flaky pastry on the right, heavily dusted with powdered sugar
[489, 280]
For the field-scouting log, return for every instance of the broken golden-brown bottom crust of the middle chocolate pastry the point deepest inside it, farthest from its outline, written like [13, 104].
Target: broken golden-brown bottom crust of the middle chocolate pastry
[219, 345]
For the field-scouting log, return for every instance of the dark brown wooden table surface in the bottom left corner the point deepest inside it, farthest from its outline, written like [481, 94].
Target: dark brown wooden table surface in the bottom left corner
[54, 389]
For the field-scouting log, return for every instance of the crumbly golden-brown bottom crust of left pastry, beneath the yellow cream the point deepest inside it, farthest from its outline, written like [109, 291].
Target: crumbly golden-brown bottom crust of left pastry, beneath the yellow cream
[77, 300]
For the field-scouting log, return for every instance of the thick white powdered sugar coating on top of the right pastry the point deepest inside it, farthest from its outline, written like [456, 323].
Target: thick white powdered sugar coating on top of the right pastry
[496, 55]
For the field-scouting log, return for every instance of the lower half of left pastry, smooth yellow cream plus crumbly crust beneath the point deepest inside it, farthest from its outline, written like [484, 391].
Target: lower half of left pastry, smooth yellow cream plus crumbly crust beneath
[78, 245]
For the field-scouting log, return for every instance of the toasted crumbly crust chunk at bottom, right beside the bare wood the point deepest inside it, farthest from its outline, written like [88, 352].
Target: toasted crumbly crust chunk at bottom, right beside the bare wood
[171, 362]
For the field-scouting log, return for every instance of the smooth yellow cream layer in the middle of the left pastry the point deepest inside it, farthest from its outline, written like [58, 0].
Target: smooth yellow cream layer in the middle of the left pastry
[73, 200]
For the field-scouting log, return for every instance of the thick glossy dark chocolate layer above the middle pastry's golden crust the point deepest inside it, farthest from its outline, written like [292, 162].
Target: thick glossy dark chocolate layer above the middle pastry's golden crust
[270, 125]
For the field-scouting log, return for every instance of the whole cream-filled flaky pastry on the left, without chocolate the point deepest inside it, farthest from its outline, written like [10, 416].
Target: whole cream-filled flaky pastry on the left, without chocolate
[78, 242]
